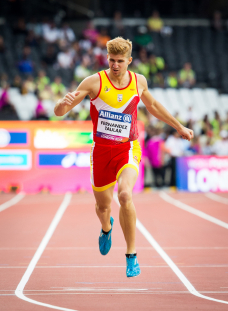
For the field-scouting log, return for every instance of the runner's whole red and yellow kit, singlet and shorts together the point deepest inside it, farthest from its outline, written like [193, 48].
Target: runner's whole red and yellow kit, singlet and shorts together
[115, 133]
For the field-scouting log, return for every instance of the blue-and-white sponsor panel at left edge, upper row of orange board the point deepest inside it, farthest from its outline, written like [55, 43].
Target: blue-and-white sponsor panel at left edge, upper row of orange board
[9, 138]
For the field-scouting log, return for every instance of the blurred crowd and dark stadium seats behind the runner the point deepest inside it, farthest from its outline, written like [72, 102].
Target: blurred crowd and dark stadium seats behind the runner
[44, 55]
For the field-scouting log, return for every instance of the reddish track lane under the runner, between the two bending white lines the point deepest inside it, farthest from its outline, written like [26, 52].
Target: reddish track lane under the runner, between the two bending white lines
[162, 289]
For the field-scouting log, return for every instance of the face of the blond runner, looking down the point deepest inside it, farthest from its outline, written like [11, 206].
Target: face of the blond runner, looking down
[118, 63]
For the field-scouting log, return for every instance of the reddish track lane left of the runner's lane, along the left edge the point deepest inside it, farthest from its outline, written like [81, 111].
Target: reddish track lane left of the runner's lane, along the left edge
[23, 225]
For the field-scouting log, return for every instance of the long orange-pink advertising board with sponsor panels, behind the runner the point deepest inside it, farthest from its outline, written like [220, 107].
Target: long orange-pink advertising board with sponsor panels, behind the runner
[49, 156]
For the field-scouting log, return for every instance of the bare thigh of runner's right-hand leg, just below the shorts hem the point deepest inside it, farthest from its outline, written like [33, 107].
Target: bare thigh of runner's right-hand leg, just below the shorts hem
[127, 179]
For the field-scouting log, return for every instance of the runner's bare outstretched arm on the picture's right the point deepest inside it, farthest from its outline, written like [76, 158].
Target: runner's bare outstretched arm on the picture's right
[159, 111]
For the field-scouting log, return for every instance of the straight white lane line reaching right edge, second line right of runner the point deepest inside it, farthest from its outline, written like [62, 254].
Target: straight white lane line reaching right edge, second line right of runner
[192, 210]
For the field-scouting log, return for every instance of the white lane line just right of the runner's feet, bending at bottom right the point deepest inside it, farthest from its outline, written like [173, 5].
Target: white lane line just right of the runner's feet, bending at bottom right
[169, 261]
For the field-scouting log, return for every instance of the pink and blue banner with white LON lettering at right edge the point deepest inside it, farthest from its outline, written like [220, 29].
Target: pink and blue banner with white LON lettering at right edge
[202, 173]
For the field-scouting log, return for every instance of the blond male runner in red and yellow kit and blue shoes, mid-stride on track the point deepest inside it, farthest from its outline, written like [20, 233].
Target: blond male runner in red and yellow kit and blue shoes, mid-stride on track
[116, 153]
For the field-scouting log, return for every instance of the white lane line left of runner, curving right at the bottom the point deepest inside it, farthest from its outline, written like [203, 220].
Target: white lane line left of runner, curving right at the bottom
[20, 288]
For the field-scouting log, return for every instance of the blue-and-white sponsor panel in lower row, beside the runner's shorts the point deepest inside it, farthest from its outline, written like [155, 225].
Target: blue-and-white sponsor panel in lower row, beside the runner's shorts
[64, 160]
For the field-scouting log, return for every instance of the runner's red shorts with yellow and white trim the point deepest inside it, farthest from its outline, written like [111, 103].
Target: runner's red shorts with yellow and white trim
[108, 161]
